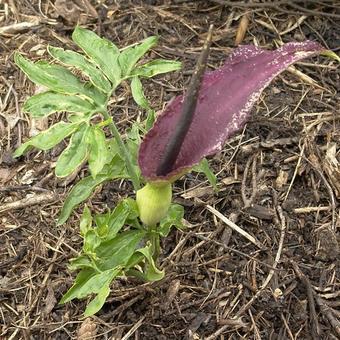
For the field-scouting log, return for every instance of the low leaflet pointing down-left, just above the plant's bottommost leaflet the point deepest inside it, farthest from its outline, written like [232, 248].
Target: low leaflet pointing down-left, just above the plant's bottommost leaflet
[91, 284]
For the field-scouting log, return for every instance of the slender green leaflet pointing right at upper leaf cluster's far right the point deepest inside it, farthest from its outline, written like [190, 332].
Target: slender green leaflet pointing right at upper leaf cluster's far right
[156, 67]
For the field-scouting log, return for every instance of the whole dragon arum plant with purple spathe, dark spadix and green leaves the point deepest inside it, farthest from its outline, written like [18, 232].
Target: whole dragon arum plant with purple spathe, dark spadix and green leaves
[125, 241]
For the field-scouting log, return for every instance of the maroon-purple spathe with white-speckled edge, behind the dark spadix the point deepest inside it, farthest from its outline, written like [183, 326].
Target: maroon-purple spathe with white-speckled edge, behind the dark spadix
[225, 99]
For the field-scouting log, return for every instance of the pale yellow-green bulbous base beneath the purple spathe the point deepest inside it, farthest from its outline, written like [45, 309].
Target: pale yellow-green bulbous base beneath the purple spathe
[153, 202]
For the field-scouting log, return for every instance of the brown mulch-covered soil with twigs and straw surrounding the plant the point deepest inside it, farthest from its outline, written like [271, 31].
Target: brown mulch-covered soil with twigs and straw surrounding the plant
[278, 181]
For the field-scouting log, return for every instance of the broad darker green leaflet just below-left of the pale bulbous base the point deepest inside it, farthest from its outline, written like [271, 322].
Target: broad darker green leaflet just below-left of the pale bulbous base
[118, 251]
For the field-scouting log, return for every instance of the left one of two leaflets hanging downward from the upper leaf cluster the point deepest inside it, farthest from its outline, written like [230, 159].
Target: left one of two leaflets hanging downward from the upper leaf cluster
[75, 153]
